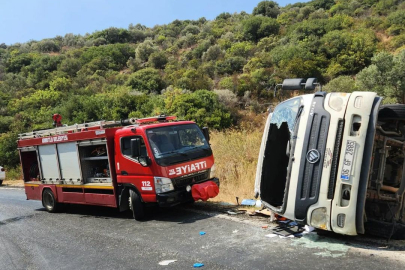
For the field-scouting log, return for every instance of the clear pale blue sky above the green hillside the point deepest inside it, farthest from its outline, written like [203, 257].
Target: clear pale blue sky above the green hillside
[24, 20]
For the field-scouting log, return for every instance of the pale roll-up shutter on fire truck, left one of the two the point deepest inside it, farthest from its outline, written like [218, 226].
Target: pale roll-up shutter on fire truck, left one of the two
[49, 162]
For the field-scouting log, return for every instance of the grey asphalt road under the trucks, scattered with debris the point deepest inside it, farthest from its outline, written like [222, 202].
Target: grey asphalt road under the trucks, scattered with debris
[101, 238]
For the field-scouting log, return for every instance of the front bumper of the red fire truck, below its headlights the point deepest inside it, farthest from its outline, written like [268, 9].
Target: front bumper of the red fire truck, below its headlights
[180, 196]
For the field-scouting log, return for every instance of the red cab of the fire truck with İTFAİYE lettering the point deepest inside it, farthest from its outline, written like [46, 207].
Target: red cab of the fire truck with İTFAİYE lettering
[163, 161]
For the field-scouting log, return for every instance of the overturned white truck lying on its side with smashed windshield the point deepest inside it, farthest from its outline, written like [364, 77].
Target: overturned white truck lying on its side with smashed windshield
[335, 161]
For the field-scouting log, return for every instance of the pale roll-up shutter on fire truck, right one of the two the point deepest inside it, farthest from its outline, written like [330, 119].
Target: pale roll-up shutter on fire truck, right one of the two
[69, 161]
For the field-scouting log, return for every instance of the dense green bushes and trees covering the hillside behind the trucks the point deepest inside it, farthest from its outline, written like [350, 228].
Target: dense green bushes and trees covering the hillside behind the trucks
[200, 69]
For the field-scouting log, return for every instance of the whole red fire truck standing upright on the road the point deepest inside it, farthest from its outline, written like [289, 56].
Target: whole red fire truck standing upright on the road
[127, 164]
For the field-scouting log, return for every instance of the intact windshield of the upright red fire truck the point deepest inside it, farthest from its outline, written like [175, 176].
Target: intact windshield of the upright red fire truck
[175, 144]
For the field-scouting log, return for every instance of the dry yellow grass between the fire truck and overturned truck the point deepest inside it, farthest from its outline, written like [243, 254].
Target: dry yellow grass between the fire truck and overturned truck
[236, 152]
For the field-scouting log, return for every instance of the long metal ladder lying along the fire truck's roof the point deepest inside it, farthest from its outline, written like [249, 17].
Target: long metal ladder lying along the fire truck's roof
[73, 128]
